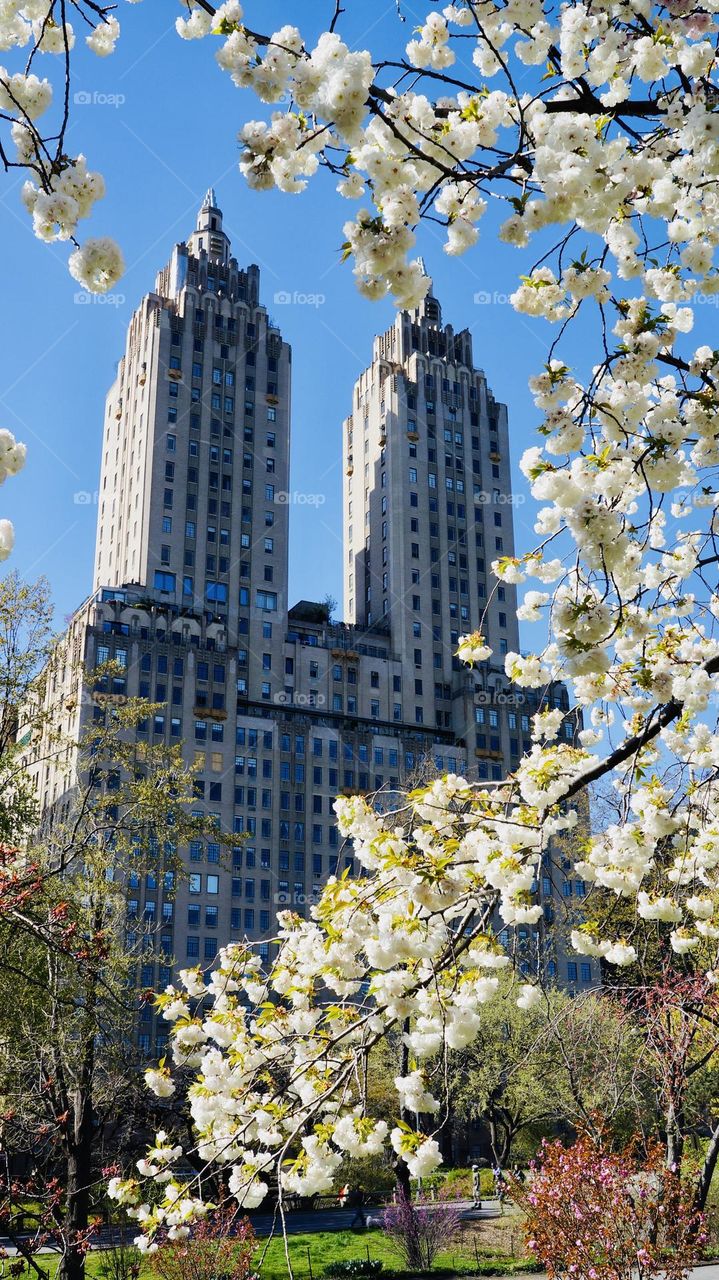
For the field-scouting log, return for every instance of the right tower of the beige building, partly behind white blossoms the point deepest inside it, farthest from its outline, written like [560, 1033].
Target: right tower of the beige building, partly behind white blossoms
[428, 508]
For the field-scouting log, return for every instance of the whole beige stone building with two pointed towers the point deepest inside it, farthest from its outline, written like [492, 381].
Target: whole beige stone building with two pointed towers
[282, 707]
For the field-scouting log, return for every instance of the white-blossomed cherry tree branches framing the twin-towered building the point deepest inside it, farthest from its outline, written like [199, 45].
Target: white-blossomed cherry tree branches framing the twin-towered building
[606, 158]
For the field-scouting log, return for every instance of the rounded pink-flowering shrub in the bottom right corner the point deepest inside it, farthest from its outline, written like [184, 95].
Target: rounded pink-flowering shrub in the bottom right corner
[601, 1215]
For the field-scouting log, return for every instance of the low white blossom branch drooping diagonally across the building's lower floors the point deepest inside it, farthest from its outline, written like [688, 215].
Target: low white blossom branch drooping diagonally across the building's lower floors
[409, 945]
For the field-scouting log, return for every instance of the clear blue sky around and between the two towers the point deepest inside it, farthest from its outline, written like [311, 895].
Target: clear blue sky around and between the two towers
[172, 136]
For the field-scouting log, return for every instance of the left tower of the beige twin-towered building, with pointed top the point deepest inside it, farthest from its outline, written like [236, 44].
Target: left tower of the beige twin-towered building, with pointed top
[196, 445]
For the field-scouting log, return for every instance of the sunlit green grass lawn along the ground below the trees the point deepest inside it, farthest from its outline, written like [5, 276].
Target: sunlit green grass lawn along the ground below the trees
[489, 1249]
